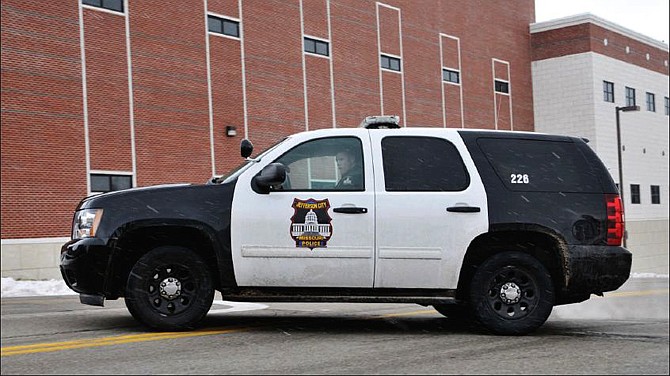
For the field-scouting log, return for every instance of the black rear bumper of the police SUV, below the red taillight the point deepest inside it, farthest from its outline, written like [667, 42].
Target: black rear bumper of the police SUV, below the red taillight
[596, 269]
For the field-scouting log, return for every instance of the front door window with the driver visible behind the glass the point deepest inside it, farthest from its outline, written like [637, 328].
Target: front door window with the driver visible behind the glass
[326, 164]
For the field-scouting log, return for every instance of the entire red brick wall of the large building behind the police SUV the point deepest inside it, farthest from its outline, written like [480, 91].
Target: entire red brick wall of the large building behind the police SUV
[43, 143]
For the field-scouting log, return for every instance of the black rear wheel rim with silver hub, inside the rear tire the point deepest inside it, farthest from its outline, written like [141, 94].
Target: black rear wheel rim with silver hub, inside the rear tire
[513, 293]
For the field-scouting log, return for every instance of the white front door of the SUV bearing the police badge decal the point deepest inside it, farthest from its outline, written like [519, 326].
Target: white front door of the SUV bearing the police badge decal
[306, 233]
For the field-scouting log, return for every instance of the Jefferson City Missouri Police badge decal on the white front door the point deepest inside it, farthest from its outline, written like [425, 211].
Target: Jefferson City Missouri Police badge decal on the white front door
[310, 224]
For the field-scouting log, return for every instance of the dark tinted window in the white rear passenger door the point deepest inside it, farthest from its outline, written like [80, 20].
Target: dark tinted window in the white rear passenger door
[422, 164]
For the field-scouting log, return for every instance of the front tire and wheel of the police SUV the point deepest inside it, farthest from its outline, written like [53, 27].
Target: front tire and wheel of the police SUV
[170, 289]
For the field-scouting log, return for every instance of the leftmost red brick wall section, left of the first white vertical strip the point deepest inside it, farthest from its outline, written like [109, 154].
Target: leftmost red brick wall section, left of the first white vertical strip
[43, 150]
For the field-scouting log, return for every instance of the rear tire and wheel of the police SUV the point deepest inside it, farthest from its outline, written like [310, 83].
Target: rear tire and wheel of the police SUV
[511, 294]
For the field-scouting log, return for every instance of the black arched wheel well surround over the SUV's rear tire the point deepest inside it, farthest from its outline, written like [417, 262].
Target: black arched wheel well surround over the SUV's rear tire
[546, 248]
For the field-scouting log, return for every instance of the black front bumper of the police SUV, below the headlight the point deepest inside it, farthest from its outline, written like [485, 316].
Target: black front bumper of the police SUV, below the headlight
[83, 265]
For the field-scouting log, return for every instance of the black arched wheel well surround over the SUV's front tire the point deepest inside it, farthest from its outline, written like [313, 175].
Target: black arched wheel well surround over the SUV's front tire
[134, 244]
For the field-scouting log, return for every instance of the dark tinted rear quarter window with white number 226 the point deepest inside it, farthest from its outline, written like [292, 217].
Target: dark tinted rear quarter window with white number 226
[540, 165]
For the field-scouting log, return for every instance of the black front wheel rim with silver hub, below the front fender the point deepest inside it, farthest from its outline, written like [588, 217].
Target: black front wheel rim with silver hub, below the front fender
[171, 289]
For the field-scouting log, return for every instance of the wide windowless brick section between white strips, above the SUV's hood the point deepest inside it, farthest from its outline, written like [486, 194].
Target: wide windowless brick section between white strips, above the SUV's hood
[172, 133]
